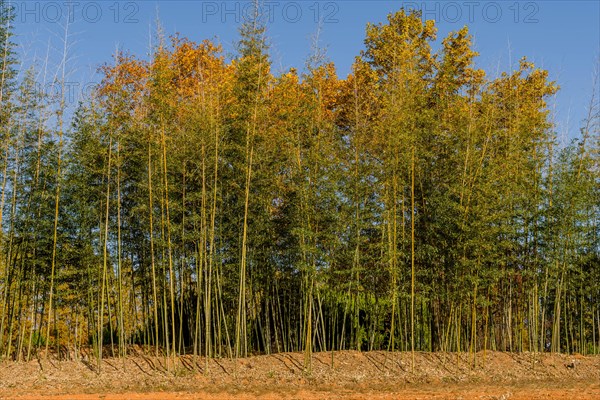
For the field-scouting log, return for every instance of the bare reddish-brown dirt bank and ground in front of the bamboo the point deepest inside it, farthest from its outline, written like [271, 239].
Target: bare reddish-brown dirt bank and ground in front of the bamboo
[353, 375]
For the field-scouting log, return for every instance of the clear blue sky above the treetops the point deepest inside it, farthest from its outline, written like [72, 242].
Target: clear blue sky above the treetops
[561, 36]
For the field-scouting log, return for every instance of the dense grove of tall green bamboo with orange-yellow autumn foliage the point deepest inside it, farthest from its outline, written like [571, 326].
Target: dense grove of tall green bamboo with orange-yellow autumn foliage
[200, 204]
